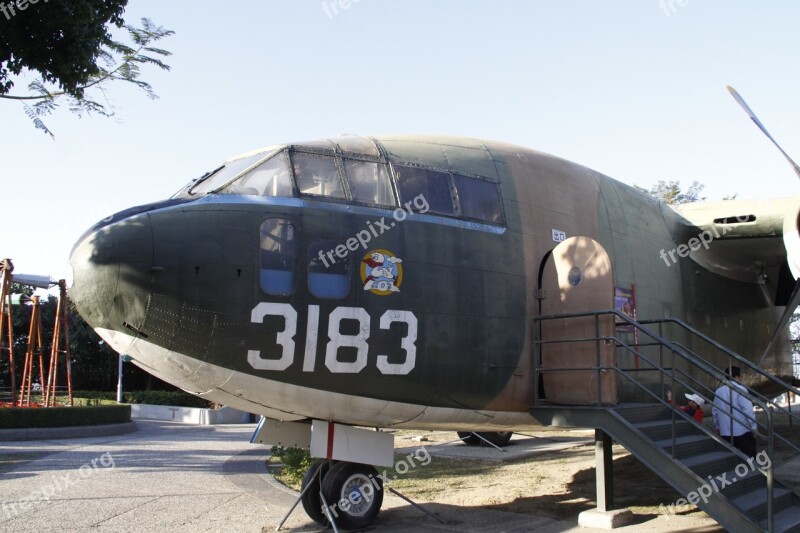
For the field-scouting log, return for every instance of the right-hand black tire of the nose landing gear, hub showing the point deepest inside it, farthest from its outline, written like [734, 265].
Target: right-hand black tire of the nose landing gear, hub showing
[356, 485]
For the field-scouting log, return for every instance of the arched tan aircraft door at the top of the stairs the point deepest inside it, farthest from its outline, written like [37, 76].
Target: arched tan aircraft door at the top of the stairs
[576, 277]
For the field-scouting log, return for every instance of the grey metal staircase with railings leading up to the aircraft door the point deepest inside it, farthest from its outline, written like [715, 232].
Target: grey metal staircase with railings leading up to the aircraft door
[741, 493]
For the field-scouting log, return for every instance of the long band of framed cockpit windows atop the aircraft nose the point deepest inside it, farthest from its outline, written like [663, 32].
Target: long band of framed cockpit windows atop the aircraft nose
[354, 170]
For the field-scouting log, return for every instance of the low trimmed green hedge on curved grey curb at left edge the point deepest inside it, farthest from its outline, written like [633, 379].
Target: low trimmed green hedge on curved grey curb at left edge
[22, 417]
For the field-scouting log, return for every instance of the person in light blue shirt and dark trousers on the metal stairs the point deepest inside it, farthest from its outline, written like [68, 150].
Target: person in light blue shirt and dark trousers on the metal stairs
[734, 418]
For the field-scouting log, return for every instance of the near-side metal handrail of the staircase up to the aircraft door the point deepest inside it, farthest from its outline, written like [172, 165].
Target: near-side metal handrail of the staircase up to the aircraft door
[692, 359]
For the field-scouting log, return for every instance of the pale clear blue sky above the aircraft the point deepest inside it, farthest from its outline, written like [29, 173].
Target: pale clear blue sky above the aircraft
[632, 88]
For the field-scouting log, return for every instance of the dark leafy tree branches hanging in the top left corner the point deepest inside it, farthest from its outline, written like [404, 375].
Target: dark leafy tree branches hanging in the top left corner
[68, 46]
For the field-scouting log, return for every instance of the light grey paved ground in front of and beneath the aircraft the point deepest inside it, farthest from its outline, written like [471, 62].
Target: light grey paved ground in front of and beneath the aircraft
[173, 477]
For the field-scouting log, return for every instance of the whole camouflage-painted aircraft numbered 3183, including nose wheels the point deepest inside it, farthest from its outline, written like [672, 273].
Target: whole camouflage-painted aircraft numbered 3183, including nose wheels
[393, 281]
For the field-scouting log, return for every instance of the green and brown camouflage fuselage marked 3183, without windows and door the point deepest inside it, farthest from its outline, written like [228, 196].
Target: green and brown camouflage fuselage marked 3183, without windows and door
[179, 286]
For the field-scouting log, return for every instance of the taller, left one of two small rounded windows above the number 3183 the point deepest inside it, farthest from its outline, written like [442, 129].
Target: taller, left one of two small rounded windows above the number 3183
[278, 256]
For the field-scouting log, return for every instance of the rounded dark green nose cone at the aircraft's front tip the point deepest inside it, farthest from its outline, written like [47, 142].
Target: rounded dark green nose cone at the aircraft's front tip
[111, 267]
